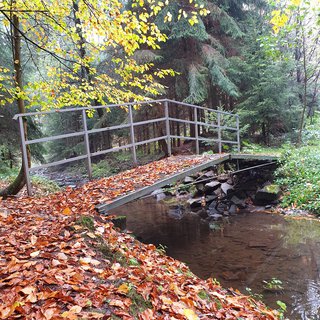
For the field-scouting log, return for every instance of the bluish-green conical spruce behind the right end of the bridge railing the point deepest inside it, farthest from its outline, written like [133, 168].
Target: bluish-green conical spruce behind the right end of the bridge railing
[269, 101]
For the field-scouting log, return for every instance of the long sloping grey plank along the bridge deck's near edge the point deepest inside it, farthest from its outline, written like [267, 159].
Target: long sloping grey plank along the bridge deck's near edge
[104, 208]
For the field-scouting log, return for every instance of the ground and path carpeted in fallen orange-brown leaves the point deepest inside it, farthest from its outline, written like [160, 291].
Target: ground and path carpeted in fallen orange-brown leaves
[61, 260]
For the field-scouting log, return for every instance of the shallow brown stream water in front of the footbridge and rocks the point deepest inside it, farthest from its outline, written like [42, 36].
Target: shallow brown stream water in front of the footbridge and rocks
[245, 251]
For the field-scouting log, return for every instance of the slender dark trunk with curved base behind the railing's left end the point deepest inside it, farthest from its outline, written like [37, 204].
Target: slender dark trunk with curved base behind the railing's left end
[20, 180]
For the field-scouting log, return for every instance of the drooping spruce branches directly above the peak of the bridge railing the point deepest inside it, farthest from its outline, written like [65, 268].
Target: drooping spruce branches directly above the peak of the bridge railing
[200, 54]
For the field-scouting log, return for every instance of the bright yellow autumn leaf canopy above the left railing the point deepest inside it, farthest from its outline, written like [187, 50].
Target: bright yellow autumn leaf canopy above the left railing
[84, 50]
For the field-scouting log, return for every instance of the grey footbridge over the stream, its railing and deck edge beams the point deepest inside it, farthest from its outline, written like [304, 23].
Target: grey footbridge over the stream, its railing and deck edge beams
[204, 126]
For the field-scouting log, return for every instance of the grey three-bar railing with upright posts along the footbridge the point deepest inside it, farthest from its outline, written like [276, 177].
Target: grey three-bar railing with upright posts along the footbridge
[205, 125]
